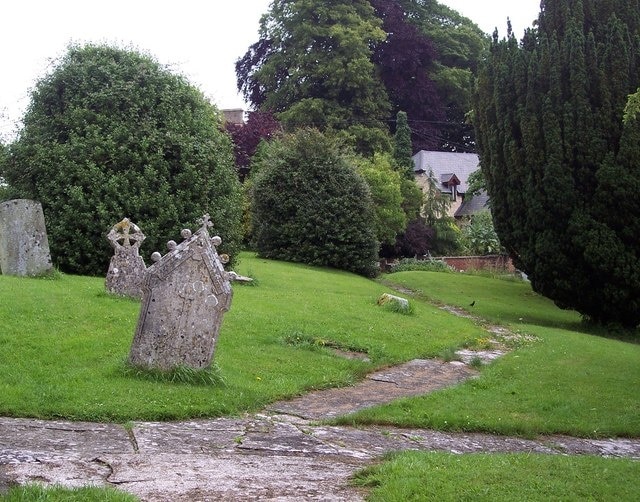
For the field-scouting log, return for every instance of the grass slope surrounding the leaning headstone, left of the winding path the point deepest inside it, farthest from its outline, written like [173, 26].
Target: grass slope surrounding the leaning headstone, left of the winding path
[64, 343]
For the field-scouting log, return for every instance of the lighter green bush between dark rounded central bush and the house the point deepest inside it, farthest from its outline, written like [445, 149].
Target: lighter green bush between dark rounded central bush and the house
[385, 185]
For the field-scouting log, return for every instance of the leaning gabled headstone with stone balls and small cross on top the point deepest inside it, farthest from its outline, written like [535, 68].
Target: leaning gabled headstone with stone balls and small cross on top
[184, 296]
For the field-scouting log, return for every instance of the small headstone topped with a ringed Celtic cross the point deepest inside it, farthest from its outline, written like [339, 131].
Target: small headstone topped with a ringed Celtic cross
[126, 268]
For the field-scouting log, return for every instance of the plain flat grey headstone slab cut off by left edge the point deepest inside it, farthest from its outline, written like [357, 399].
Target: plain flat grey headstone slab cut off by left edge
[24, 247]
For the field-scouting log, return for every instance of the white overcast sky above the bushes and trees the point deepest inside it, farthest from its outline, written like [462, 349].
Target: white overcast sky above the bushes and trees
[200, 39]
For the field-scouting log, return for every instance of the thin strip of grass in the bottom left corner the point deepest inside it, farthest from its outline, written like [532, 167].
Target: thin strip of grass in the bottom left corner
[39, 493]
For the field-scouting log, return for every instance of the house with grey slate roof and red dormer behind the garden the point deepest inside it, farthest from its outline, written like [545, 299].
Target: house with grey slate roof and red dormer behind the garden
[450, 171]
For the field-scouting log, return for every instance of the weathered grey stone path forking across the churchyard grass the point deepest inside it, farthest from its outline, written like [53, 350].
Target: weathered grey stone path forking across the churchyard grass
[281, 454]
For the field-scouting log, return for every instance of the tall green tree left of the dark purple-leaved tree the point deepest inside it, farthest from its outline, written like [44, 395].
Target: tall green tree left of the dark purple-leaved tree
[312, 67]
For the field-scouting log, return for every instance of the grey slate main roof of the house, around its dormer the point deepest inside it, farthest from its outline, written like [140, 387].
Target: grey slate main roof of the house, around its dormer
[446, 165]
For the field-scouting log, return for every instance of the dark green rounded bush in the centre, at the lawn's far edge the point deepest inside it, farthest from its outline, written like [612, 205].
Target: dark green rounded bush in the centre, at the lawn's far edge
[310, 205]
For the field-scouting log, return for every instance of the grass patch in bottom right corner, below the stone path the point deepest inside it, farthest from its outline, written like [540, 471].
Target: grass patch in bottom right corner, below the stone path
[500, 477]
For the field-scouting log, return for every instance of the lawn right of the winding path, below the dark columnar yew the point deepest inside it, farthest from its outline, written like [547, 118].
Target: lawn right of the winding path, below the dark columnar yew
[570, 381]
